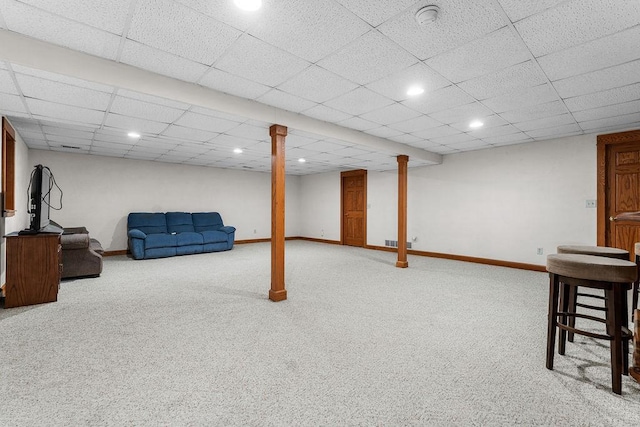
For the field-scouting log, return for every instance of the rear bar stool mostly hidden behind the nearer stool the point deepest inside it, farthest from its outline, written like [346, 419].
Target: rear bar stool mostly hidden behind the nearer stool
[573, 291]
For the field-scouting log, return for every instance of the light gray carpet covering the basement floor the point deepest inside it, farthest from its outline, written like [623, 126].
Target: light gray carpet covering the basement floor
[194, 340]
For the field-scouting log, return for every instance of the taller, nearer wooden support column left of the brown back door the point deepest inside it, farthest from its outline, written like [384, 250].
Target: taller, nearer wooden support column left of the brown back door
[278, 134]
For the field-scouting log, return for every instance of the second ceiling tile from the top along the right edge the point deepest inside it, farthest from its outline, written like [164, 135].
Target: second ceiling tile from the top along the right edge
[605, 52]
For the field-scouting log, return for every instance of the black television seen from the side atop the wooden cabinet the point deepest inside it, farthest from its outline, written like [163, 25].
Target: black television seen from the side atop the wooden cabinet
[39, 201]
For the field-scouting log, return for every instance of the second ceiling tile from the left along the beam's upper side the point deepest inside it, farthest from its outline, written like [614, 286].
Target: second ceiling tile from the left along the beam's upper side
[161, 62]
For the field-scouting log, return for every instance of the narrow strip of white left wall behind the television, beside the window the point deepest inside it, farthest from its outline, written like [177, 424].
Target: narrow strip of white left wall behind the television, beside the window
[21, 219]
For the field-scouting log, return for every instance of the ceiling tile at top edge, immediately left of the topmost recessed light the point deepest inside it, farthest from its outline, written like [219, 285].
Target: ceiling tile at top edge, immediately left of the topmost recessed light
[172, 27]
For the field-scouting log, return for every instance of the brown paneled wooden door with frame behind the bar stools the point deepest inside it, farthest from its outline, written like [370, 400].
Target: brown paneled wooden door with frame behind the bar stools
[621, 189]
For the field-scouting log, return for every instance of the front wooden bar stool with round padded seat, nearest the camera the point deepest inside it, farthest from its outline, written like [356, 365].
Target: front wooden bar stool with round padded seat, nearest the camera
[615, 277]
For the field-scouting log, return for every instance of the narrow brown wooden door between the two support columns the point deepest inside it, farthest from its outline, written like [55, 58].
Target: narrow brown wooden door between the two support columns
[354, 205]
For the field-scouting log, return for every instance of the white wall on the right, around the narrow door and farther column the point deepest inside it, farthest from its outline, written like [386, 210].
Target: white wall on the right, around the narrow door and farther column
[501, 203]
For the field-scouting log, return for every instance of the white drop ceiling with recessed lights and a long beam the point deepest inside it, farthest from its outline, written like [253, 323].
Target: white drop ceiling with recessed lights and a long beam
[200, 78]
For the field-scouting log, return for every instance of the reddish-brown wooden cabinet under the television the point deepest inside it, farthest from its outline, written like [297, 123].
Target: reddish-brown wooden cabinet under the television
[34, 265]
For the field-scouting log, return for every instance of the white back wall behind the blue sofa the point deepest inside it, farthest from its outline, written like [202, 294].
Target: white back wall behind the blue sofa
[99, 193]
